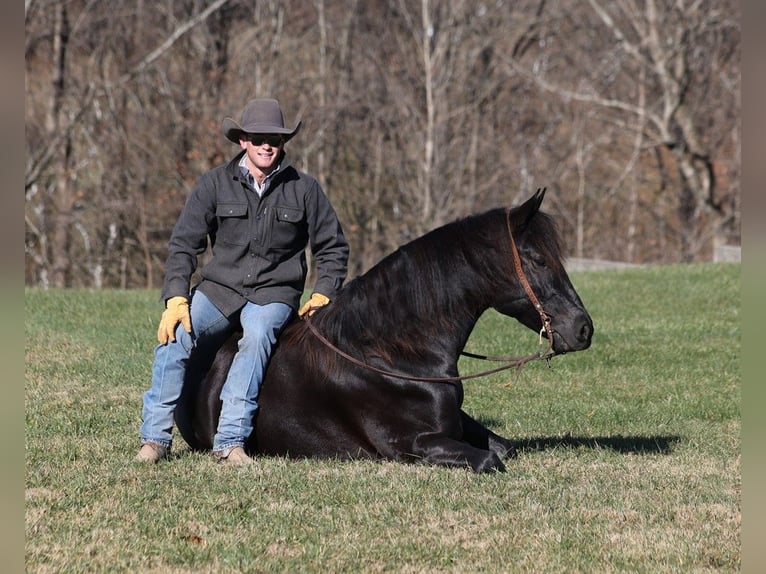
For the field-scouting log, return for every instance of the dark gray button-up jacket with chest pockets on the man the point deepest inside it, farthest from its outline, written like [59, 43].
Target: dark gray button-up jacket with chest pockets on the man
[258, 243]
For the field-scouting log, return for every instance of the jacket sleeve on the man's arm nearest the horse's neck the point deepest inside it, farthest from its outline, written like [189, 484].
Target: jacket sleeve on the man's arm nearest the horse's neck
[328, 244]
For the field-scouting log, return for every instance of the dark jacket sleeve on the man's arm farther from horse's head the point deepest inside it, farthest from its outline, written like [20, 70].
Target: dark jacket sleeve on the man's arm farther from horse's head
[189, 239]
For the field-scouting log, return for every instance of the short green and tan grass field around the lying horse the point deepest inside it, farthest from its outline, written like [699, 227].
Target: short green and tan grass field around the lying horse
[629, 453]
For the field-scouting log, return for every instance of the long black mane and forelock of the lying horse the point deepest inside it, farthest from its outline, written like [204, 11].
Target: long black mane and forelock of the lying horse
[437, 283]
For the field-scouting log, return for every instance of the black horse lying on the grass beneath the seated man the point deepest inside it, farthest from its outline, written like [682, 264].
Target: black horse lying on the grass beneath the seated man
[411, 314]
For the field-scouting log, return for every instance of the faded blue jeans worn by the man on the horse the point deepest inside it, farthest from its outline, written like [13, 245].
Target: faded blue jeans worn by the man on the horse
[261, 325]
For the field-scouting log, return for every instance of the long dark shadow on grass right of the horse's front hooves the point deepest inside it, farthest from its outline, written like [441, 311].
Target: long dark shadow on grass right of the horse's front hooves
[618, 443]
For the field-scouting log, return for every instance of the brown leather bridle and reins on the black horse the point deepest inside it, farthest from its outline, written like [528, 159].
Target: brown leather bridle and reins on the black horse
[510, 362]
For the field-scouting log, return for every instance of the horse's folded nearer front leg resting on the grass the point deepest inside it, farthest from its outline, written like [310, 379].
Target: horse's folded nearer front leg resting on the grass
[445, 451]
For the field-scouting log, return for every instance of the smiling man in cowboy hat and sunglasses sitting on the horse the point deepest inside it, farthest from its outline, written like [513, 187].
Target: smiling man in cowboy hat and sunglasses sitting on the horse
[259, 214]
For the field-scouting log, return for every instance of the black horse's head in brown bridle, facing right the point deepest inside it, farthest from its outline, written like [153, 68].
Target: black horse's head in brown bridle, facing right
[540, 260]
